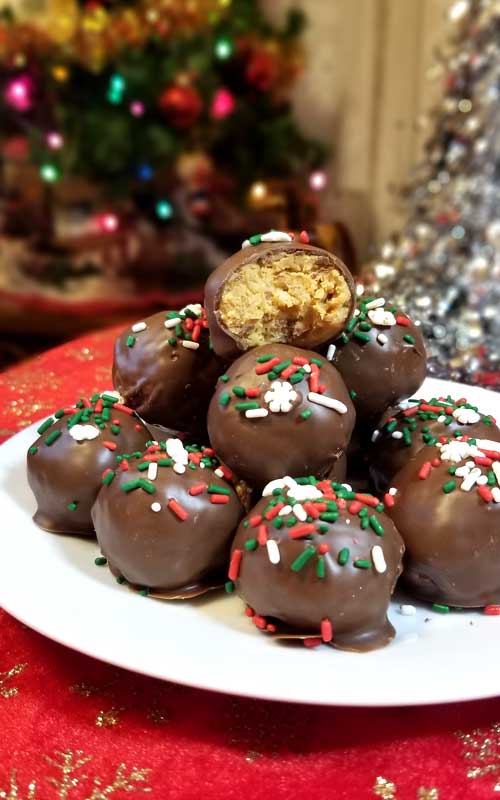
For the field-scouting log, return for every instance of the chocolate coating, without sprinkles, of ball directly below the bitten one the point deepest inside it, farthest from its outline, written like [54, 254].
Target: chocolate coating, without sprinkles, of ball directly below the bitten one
[258, 450]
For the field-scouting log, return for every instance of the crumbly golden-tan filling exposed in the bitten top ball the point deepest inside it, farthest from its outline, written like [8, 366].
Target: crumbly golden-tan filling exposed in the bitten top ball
[285, 298]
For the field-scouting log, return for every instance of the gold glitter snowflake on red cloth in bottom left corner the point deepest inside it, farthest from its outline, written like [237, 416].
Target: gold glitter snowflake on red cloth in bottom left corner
[66, 776]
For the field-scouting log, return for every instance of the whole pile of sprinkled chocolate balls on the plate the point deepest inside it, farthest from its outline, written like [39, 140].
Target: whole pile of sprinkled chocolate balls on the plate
[297, 383]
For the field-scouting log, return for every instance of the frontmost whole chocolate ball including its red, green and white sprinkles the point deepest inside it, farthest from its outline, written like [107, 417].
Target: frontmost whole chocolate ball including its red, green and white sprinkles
[317, 560]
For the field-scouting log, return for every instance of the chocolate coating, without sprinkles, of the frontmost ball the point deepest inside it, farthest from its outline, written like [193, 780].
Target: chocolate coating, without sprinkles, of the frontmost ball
[354, 599]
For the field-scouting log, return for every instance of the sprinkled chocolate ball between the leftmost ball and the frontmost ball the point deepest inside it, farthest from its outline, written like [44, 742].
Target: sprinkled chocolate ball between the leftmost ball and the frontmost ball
[167, 523]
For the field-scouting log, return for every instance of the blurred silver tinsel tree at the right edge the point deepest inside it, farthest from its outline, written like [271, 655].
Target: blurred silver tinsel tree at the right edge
[444, 266]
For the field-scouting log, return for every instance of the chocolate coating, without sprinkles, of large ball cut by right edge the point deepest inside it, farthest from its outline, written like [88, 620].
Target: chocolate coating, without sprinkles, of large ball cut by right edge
[452, 540]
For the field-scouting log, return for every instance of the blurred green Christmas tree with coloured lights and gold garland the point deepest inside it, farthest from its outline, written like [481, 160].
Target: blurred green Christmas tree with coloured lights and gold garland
[160, 125]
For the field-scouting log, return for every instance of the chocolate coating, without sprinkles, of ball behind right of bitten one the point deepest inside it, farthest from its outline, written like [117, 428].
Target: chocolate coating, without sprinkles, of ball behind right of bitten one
[381, 374]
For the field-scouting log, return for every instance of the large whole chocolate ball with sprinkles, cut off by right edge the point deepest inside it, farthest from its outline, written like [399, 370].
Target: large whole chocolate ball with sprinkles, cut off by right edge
[447, 510]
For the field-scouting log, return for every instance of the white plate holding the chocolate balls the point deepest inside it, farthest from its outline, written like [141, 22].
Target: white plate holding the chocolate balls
[50, 583]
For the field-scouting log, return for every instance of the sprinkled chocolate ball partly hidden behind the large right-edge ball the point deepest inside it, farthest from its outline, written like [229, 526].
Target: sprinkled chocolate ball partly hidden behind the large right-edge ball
[421, 423]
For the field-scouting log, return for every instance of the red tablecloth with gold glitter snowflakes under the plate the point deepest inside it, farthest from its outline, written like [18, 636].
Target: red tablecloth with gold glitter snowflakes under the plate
[71, 727]
